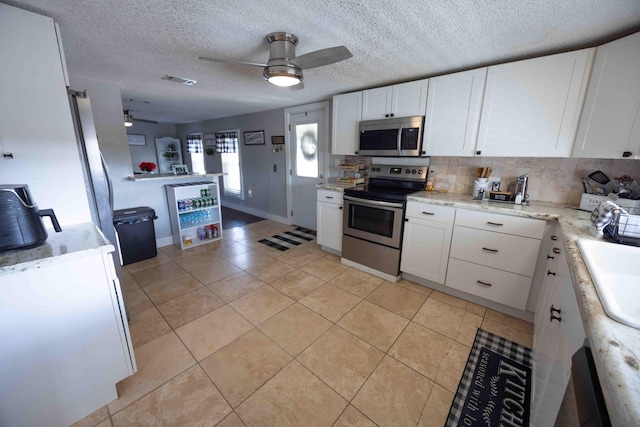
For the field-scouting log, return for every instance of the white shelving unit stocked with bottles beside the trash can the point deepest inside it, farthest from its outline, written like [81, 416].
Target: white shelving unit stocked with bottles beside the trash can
[185, 224]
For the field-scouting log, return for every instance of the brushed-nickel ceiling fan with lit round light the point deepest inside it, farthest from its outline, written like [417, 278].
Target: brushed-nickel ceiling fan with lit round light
[284, 68]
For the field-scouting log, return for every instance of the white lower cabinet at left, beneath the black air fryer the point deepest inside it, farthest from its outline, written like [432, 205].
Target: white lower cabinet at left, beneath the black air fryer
[65, 341]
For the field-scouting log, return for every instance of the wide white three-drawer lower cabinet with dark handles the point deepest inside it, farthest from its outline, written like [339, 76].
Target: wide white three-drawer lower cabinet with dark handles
[493, 256]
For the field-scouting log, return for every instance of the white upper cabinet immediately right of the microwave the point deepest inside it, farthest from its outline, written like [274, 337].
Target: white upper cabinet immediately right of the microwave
[454, 103]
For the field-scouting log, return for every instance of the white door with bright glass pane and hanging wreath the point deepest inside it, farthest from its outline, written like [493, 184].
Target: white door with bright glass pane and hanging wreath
[307, 143]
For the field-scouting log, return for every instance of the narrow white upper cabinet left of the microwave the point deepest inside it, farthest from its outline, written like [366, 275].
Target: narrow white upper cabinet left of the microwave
[346, 115]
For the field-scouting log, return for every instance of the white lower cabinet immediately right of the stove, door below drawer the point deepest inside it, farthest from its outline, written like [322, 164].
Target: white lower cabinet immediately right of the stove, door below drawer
[426, 241]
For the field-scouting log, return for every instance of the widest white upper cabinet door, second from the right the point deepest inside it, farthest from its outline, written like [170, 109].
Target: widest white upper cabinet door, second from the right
[532, 107]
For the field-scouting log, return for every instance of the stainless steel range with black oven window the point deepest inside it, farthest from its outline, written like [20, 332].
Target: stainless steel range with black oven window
[374, 216]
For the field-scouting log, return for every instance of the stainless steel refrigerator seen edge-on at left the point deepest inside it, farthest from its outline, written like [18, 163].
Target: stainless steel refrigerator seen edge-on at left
[96, 173]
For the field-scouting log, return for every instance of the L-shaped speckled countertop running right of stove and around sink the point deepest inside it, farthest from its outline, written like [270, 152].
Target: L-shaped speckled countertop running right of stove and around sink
[615, 347]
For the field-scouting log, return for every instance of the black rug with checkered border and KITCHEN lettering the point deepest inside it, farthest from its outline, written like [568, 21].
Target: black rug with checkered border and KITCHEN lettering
[495, 388]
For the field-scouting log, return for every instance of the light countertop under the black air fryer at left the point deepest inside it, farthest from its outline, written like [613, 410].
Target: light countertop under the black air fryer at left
[74, 241]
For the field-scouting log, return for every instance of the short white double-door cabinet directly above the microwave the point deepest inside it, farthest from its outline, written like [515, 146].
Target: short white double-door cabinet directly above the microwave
[401, 100]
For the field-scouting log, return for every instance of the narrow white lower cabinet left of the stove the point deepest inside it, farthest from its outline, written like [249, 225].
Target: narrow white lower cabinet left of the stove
[330, 213]
